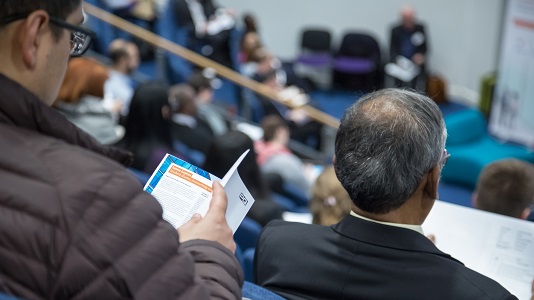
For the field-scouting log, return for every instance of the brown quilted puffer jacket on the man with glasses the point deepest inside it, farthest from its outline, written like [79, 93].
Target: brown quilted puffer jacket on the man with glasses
[74, 224]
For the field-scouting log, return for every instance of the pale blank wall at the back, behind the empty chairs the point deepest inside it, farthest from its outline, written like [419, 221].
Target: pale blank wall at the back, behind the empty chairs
[463, 34]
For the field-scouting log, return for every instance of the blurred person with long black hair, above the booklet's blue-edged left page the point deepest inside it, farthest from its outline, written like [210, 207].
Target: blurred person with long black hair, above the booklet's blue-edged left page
[148, 133]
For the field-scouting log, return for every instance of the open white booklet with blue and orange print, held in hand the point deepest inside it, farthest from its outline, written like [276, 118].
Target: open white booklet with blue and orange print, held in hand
[183, 189]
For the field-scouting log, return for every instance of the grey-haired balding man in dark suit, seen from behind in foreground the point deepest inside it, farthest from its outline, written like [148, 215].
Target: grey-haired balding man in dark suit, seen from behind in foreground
[389, 153]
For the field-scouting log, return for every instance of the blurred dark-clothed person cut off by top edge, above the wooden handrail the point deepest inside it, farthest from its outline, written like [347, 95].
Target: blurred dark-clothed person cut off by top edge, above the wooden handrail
[209, 28]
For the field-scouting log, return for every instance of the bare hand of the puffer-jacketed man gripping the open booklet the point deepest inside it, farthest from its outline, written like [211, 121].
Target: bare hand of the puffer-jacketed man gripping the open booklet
[213, 226]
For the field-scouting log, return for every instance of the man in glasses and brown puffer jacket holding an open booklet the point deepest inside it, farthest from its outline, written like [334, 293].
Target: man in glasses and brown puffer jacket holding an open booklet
[73, 222]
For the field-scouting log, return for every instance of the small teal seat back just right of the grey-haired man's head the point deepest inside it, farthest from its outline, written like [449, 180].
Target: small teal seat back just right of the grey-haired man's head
[465, 126]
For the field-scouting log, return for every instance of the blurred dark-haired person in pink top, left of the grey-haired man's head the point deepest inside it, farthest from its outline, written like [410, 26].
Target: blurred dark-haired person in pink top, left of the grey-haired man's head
[275, 157]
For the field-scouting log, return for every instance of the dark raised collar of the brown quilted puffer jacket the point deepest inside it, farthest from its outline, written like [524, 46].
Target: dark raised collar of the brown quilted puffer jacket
[20, 108]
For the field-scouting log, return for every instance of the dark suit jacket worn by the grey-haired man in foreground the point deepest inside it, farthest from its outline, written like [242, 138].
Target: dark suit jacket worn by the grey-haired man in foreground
[358, 259]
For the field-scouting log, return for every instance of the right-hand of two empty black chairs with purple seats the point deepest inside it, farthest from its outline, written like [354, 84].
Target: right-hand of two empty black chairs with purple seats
[357, 63]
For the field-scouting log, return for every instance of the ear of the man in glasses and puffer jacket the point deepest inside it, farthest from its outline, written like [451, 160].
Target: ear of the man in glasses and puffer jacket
[30, 37]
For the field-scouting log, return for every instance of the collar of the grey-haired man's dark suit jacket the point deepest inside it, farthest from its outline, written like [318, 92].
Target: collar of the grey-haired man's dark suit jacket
[387, 236]
